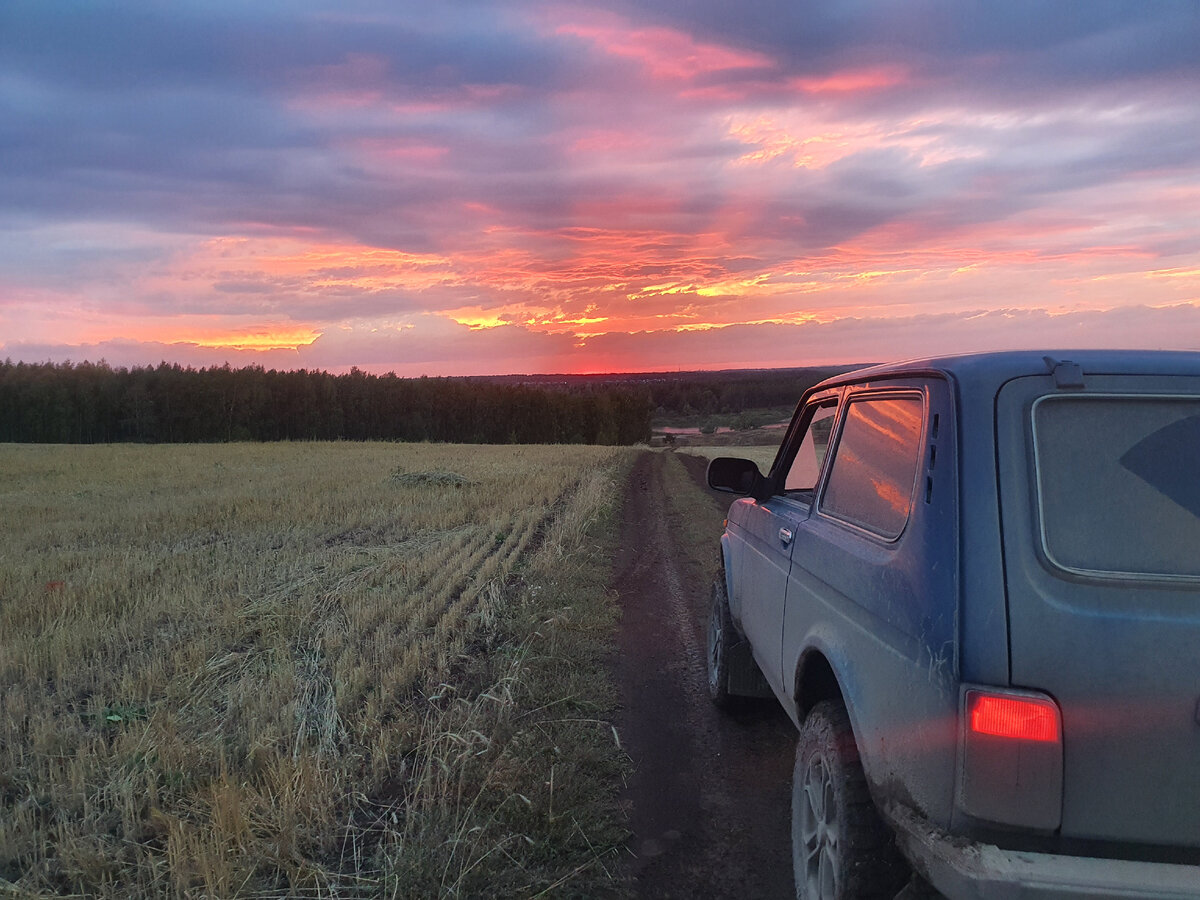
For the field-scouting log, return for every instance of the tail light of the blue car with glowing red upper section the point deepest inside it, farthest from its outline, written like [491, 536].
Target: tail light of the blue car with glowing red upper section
[1011, 769]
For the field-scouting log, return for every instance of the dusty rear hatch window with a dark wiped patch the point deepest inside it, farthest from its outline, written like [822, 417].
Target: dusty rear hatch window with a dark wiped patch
[1119, 485]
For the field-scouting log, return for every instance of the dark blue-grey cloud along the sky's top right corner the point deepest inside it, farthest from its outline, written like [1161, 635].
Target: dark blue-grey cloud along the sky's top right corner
[1021, 47]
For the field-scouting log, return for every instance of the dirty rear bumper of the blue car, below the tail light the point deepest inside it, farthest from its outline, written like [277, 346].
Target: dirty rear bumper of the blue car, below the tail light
[963, 869]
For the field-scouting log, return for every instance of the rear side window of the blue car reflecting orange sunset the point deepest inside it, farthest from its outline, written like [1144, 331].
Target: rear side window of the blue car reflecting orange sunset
[874, 469]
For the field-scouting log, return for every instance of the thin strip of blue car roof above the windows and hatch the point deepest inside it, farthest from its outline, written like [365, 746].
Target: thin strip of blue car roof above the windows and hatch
[999, 367]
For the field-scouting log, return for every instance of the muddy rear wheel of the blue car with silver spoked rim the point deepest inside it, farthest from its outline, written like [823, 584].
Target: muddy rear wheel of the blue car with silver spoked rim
[841, 847]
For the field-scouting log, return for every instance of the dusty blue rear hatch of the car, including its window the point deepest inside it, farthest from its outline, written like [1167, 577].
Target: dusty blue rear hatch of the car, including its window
[1101, 513]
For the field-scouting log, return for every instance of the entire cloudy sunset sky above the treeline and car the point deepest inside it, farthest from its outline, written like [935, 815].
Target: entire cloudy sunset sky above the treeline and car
[469, 188]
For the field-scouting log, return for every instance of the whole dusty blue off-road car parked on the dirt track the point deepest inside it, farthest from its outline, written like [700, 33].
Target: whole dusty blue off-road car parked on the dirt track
[991, 563]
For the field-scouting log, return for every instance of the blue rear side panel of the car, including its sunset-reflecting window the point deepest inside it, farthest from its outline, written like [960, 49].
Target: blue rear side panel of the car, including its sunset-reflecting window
[873, 589]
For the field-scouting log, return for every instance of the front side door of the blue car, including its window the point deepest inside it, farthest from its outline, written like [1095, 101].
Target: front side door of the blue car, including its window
[771, 527]
